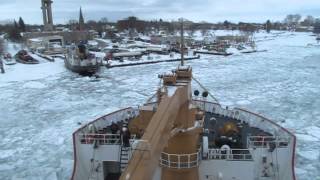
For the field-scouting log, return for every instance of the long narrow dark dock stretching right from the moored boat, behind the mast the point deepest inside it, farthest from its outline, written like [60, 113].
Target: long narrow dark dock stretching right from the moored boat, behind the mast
[151, 62]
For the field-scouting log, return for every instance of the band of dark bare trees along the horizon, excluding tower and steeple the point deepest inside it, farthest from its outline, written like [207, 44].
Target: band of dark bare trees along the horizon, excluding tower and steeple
[134, 24]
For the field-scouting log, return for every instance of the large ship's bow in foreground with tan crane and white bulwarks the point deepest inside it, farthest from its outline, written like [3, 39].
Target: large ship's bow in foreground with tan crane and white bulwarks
[178, 134]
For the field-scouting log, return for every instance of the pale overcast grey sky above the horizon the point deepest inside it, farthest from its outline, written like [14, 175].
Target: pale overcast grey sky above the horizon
[195, 10]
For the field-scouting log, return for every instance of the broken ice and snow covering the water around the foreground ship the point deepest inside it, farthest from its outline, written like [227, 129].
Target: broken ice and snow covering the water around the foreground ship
[41, 105]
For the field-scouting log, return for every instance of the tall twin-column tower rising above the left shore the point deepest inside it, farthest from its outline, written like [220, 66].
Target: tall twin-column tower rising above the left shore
[47, 15]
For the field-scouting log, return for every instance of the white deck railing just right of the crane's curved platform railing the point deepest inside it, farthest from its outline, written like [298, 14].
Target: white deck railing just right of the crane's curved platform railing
[228, 154]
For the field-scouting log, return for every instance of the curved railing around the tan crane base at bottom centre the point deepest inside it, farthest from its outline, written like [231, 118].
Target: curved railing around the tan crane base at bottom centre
[180, 161]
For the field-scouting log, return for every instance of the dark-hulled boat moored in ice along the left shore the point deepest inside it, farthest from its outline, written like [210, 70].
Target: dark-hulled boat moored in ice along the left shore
[79, 60]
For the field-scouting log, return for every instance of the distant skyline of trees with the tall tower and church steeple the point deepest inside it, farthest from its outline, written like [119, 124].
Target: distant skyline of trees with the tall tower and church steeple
[18, 30]
